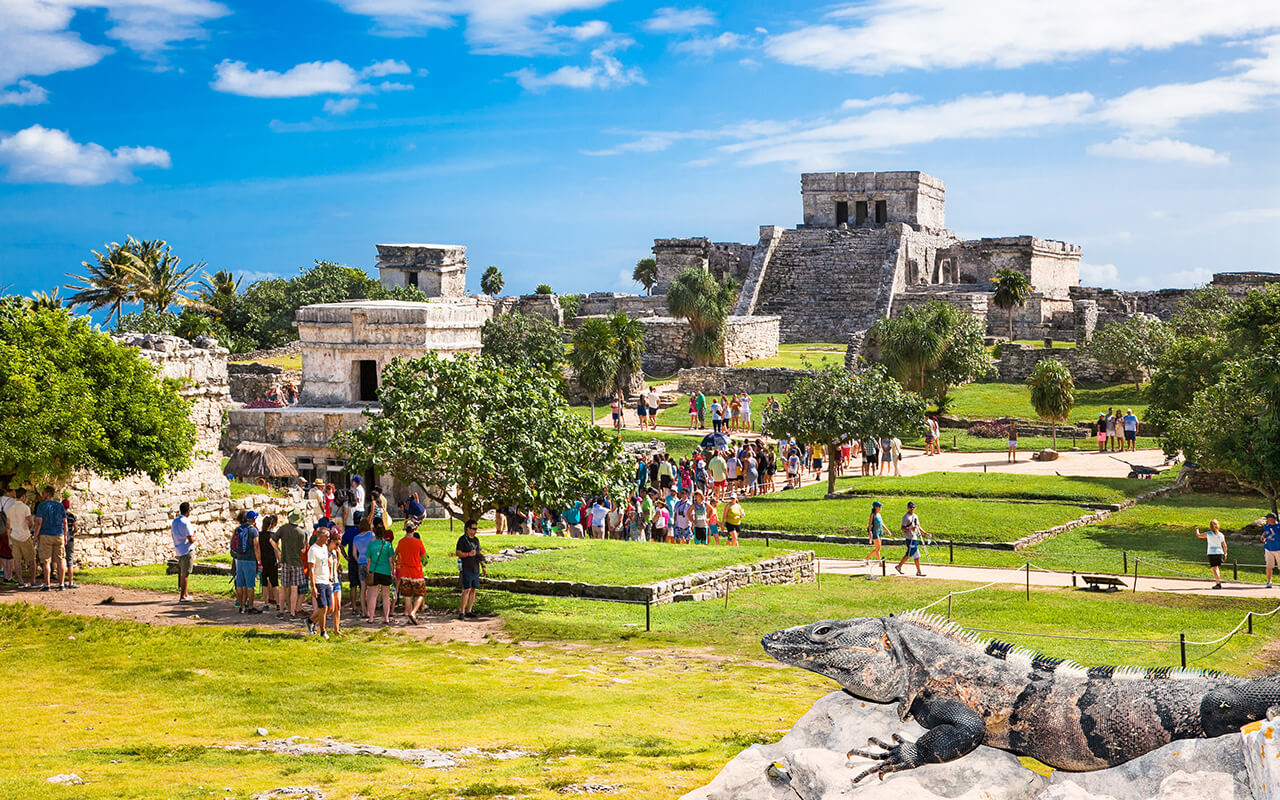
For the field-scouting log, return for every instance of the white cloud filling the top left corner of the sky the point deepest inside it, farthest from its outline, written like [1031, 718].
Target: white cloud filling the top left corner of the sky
[36, 38]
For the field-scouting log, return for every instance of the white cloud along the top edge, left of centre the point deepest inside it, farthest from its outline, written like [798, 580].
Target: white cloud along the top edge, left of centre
[506, 28]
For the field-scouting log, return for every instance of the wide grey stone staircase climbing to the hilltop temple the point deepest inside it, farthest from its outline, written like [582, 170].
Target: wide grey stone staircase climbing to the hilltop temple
[828, 284]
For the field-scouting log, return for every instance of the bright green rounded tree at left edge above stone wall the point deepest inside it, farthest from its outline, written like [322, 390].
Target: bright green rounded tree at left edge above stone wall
[75, 400]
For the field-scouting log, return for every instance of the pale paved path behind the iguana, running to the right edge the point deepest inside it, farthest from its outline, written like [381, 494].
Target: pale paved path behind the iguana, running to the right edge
[988, 575]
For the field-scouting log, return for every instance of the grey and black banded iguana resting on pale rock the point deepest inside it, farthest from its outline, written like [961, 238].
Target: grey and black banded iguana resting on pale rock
[971, 692]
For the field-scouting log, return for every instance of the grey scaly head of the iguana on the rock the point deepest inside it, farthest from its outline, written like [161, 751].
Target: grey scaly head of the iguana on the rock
[861, 655]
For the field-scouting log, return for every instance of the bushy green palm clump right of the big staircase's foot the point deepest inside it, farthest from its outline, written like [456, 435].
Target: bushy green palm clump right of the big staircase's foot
[934, 349]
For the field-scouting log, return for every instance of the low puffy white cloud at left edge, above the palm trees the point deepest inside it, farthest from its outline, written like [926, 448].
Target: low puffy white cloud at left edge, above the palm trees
[47, 156]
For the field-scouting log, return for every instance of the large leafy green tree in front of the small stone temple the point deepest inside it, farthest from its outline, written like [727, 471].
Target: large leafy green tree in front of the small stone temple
[479, 435]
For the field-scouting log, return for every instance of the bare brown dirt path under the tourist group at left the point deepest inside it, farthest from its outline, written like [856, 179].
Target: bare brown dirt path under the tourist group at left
[161, 609]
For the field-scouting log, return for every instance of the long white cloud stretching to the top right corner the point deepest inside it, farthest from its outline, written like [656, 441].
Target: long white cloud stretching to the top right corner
[888, 35]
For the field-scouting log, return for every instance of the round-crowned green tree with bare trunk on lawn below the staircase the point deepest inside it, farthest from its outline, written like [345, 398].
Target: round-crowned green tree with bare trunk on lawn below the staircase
[831, 405]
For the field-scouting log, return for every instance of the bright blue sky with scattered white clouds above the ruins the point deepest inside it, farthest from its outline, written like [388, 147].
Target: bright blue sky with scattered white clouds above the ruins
[557, 139]
